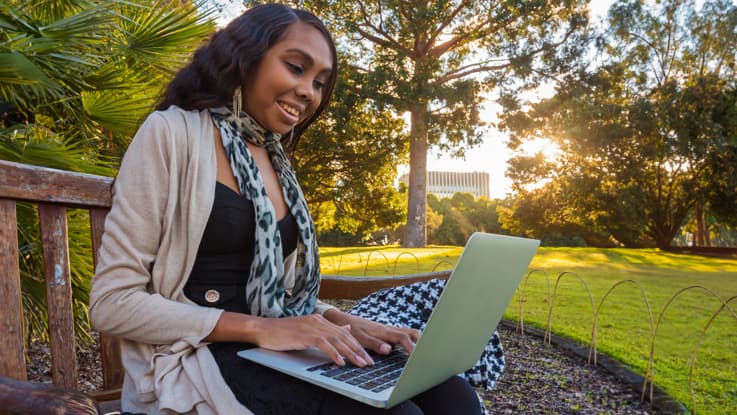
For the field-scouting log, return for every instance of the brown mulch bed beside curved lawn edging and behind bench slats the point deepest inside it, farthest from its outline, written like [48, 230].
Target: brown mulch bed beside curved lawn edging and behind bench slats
[538, 379]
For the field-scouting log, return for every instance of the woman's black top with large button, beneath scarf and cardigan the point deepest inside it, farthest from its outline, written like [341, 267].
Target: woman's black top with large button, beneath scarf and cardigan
[226, 251]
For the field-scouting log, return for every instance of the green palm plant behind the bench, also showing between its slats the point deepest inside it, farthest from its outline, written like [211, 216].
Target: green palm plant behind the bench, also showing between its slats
[76, 79]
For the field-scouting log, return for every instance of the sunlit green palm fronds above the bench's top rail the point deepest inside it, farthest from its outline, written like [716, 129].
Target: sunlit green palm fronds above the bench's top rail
[93, 69]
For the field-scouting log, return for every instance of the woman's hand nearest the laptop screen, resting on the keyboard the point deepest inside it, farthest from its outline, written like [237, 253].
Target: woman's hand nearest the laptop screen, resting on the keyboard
[375, 336]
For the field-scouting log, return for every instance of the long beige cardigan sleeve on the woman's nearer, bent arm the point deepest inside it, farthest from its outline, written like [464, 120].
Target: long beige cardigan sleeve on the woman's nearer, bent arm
[124, 299]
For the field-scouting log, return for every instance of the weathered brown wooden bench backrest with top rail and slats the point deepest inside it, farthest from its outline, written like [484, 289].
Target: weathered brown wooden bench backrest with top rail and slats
[53, 191]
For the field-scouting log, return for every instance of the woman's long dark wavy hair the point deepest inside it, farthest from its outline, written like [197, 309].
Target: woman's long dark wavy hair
[234, 53]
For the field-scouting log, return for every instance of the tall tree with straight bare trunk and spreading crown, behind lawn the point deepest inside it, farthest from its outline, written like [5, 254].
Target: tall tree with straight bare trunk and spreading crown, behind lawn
[434, 60]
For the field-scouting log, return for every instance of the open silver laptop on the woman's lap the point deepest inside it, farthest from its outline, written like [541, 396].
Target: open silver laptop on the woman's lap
[466, 314]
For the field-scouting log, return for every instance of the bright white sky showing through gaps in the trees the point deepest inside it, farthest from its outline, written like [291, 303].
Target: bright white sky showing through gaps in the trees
[490, 156]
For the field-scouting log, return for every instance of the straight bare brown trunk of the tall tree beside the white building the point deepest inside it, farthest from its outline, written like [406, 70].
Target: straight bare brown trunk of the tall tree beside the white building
[415, 235]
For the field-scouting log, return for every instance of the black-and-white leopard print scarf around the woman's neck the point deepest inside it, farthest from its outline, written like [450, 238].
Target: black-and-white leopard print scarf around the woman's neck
[266, 294]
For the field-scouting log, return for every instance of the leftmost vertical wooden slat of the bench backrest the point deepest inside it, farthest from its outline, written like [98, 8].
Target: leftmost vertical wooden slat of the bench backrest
[11, 314]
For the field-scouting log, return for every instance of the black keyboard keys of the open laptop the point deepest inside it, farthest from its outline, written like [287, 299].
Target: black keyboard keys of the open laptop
[382, 375]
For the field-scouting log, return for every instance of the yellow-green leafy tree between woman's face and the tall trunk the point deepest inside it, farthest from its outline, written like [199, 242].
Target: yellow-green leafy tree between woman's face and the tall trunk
[347, 162]
